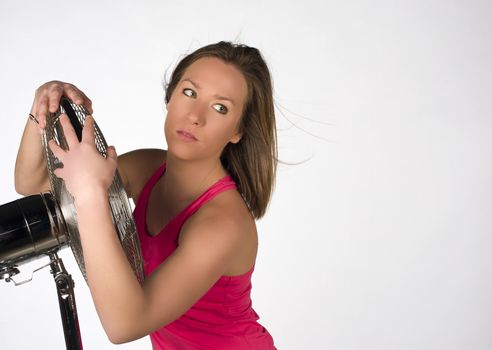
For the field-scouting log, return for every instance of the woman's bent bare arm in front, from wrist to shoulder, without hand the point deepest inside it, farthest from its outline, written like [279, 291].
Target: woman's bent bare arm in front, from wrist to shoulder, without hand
[129, 311]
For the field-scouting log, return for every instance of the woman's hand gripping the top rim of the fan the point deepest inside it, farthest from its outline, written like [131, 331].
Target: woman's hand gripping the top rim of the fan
[48, 96]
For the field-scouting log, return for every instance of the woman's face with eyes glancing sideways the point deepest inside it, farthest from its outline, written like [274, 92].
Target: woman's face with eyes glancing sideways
[204, 110]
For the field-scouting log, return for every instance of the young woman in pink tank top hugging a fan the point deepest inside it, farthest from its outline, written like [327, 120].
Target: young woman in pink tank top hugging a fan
[195, 203]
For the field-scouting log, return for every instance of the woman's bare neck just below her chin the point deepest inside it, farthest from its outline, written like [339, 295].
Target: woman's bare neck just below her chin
[185, 180]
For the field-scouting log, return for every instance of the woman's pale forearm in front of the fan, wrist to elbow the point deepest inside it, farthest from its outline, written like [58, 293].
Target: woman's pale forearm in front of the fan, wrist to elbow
[116, 292]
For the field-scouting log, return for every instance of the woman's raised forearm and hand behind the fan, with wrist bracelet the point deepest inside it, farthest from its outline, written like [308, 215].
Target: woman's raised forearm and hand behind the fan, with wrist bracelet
[31, 175]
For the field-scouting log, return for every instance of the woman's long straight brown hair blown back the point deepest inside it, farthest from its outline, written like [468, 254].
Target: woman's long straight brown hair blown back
[252, 162]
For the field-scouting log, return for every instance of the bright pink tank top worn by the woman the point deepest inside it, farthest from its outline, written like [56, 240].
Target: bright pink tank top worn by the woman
[223, 318]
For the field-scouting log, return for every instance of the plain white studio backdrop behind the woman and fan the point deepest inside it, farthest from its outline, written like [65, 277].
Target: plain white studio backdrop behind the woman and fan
[380, 238]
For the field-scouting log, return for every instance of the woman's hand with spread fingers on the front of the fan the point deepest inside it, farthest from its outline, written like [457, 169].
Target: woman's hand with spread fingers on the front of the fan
[85, 171]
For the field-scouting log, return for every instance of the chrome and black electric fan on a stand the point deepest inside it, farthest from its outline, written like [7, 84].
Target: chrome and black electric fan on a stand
[40, 225]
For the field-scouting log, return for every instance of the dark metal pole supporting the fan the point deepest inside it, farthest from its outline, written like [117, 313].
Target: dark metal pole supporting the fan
[66, 300]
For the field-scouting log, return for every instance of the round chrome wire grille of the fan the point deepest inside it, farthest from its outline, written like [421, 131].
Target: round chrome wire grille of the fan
[120, 206]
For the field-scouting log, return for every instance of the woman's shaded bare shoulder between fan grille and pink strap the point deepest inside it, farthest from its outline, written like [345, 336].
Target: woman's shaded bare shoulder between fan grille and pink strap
[137, 166]
